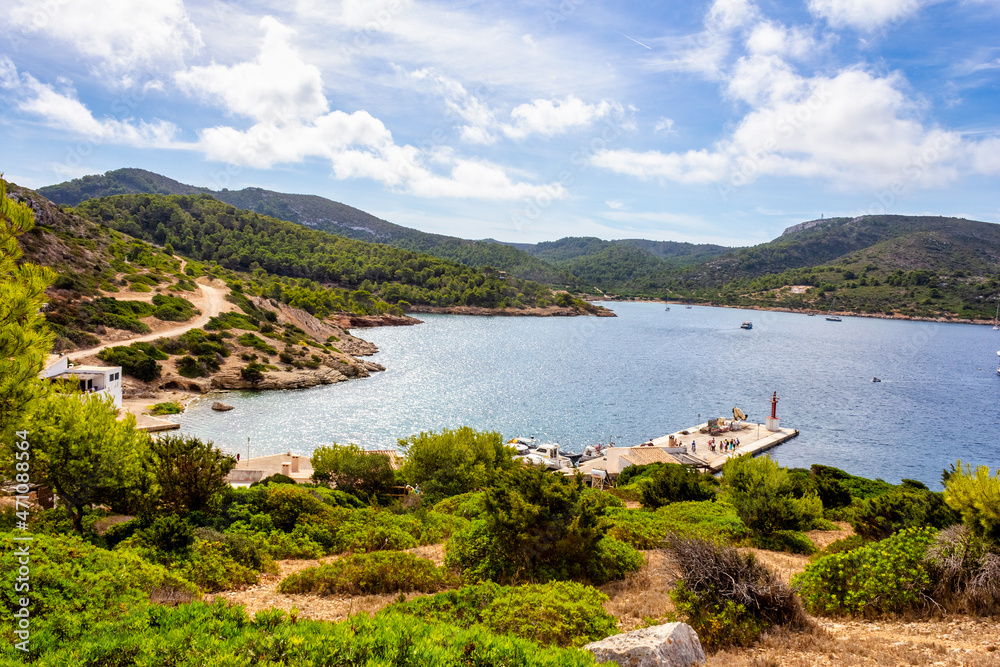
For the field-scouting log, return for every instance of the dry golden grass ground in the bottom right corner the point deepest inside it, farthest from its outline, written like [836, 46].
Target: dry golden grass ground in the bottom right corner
[966, 641]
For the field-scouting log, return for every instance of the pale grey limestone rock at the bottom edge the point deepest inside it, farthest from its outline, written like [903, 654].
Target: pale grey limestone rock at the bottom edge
[670, 645]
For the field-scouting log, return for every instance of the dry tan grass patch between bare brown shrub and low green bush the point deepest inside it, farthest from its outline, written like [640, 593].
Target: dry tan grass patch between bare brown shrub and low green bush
[642, 595]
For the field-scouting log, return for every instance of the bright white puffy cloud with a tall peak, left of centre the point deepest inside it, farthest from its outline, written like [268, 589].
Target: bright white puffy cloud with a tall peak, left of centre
[276, 85]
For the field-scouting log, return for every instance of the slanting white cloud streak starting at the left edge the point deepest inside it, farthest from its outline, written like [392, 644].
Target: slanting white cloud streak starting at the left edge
[63, 111]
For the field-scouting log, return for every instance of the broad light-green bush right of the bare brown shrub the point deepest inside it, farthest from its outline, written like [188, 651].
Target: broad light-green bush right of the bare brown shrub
[885, 577]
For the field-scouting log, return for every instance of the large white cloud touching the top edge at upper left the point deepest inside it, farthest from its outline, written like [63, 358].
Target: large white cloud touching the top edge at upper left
[126, 38]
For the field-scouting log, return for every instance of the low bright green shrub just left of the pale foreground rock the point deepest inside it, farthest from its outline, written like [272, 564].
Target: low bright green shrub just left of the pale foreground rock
[562, 613]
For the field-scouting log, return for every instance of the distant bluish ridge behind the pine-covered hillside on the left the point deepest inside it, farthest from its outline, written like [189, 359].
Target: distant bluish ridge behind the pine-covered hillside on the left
[317, 213]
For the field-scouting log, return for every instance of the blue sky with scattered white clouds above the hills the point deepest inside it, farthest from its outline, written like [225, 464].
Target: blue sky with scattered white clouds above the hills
[720, 121]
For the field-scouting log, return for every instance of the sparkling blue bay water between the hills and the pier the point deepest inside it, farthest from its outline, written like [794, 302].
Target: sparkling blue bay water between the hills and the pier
[649, 372]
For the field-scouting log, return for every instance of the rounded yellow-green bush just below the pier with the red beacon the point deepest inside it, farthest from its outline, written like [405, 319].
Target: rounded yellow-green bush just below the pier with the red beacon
[763, 494]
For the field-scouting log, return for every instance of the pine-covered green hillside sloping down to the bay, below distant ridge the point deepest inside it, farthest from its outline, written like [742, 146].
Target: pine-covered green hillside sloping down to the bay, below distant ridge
[203, 228]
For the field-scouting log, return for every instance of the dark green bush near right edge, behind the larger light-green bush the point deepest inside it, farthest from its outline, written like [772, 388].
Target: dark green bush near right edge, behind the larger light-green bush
[904, 507]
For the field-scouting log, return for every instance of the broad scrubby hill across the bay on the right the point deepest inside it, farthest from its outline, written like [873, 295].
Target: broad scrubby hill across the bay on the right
[911, 266]
